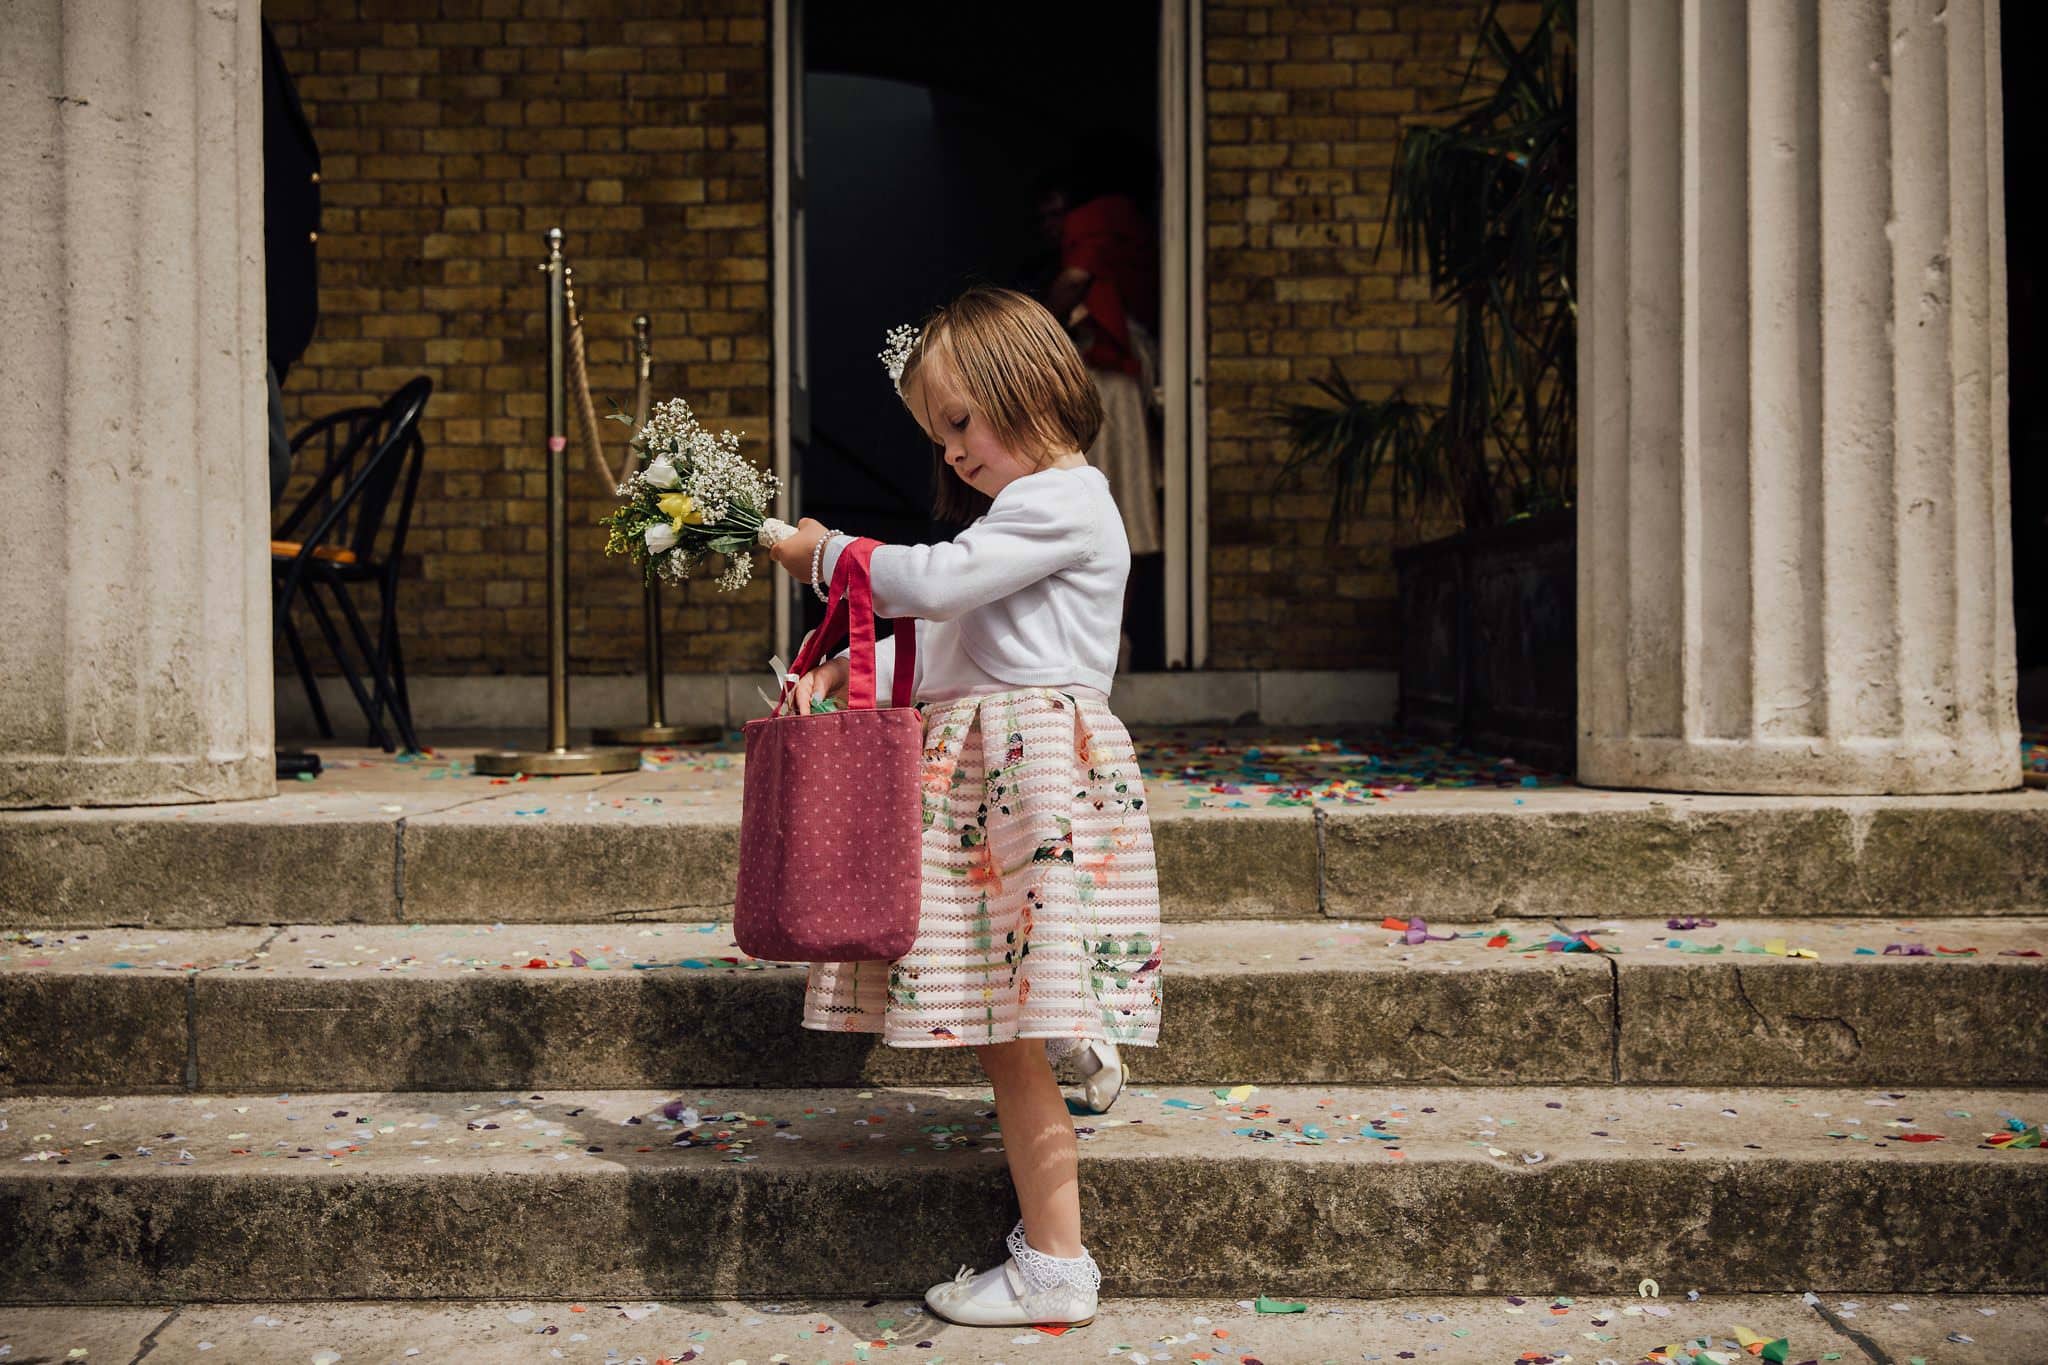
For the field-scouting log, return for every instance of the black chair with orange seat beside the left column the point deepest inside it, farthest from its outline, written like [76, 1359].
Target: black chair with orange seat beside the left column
[349, 531]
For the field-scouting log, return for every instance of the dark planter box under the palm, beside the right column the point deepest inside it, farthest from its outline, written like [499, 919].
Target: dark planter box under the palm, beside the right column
[1490, 640]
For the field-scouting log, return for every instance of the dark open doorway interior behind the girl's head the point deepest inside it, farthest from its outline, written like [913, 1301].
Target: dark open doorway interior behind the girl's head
[931, 130]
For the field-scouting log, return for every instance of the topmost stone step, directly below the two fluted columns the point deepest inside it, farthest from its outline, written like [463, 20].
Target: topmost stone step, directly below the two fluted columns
[394, 844]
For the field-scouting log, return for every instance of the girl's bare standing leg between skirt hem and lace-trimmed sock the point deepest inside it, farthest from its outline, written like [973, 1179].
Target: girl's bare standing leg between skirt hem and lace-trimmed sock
[1039, 1143]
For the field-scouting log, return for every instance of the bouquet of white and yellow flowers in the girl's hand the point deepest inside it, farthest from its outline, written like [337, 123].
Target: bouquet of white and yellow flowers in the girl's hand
[693, 496]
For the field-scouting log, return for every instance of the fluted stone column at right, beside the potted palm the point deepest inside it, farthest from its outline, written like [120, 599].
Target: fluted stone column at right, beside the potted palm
[1795, 564]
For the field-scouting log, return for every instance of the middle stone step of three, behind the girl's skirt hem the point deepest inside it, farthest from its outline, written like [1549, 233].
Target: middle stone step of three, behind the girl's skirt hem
[1269, 1002]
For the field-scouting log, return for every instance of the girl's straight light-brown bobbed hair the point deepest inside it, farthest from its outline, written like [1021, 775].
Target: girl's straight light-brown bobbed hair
[1019, 371]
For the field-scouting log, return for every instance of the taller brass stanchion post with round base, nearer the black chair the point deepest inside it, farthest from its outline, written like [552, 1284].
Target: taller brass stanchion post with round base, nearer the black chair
[558, 760]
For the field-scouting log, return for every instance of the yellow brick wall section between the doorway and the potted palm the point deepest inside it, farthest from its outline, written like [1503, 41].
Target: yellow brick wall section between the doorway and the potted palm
[1304, 109]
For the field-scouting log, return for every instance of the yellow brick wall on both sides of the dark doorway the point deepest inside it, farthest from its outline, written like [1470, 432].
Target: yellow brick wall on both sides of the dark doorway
[454, 132]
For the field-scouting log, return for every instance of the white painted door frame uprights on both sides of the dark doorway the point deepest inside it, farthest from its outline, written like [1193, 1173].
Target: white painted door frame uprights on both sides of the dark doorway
[1183, 324]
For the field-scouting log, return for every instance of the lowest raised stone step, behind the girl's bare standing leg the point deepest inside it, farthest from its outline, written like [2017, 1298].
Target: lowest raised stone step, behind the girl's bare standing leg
[837, 1192]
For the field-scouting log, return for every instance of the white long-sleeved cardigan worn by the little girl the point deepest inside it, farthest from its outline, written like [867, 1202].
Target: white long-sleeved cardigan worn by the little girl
[1029, 597]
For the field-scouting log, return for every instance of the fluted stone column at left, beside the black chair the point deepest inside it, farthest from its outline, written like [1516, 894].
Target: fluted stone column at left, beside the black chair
[134, 500]
